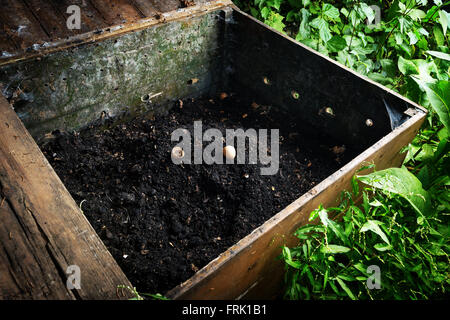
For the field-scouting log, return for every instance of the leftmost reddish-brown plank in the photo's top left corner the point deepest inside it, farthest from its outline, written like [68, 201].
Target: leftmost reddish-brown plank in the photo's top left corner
[20, 24]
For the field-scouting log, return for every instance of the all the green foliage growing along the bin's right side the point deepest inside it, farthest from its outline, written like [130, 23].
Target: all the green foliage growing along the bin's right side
[403, 228]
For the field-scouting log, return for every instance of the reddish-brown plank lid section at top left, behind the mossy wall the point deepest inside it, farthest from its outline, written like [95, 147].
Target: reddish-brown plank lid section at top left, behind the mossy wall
[100, 20]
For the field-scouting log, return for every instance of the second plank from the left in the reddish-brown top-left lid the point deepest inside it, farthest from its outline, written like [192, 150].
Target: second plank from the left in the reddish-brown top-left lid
[50, 19]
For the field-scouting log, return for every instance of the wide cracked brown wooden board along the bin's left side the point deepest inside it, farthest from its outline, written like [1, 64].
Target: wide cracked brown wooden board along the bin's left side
[42, 230]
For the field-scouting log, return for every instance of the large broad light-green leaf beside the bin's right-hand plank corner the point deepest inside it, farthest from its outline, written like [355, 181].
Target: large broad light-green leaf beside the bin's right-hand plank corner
[403, 183]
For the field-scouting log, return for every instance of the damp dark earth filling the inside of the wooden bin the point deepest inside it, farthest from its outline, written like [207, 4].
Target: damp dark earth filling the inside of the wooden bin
[162, 222]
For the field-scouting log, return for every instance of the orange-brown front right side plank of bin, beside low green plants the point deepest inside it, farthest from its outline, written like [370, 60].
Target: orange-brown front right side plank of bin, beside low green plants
[250, 268]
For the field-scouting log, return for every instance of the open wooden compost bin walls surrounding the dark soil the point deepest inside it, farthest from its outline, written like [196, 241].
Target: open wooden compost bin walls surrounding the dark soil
[68, 84]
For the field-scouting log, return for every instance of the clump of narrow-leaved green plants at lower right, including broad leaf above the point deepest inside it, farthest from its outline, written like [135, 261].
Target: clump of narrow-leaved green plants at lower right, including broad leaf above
[411, 250]
